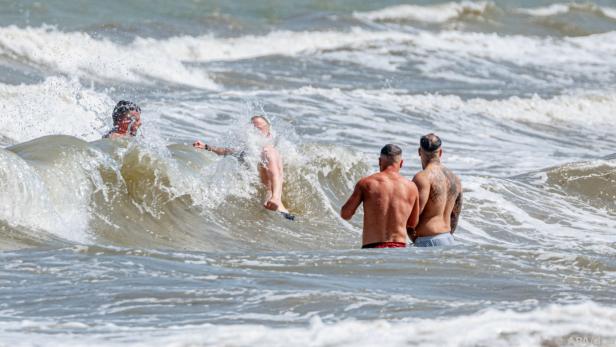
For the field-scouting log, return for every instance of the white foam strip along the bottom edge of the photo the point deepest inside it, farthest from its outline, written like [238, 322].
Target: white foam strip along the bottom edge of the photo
[558, 325]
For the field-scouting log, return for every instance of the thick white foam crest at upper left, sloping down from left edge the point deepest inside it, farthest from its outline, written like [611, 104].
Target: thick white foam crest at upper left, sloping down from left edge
[79, 54]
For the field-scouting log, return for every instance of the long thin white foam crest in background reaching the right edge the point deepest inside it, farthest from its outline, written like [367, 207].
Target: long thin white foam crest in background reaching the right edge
[519, 50]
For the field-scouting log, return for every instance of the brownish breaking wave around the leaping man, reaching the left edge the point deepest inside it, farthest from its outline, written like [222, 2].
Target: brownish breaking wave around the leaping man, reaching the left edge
[128, 194]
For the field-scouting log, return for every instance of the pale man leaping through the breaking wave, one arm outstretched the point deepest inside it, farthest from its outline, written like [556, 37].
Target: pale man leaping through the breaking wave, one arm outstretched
[271, 168]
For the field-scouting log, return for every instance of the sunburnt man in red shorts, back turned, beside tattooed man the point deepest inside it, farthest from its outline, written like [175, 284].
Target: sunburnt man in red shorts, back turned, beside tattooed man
[391, 203]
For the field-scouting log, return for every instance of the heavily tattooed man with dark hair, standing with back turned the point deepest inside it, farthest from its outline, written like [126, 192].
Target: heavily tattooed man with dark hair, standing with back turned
[440, 197]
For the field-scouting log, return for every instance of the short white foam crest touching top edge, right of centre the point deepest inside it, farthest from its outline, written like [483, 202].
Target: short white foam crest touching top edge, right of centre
[429, 14]
